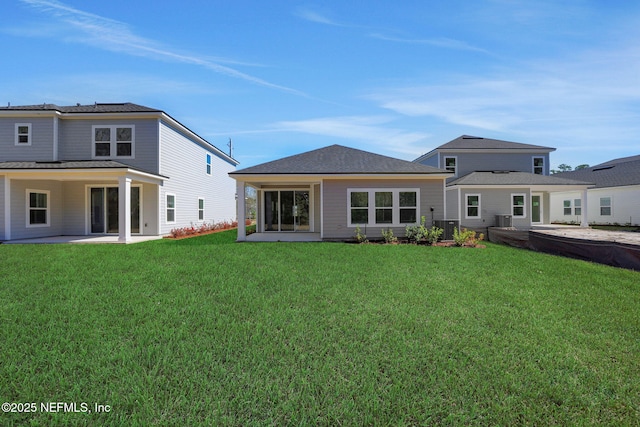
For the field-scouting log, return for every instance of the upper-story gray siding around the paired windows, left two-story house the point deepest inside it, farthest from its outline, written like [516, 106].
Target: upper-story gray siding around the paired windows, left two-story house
[76, 141]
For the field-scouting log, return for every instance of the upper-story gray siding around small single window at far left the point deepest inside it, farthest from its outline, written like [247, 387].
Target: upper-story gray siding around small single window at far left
[41, 148]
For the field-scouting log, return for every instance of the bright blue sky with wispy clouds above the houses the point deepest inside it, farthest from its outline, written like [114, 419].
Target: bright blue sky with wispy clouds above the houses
[395, 78]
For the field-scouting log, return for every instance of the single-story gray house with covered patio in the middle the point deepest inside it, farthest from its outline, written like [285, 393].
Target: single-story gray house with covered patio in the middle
[330, 191]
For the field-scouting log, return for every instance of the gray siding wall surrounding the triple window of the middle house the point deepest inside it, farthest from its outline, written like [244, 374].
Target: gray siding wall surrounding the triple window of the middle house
[336, 209]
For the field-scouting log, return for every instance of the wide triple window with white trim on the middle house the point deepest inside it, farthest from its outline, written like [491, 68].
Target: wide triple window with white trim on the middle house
[383, 207]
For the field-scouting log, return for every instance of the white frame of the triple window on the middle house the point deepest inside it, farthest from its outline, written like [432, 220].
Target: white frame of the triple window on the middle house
[371, 194]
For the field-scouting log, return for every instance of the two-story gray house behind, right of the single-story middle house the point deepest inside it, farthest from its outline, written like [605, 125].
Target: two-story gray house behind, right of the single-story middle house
[498, 183]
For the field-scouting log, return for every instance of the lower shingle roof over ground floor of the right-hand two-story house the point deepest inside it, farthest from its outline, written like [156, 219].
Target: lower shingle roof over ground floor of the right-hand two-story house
[513, 178]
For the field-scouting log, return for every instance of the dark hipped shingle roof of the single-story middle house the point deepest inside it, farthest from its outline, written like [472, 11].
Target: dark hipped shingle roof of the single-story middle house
[337, 159]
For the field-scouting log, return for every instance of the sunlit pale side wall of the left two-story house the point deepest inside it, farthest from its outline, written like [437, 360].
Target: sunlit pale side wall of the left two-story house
[184, 162]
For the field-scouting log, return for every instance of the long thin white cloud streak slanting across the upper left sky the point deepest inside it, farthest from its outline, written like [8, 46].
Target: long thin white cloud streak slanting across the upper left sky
[112, 35]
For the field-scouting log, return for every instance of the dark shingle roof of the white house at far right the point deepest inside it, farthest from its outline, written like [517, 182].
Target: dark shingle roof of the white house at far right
[614, 173]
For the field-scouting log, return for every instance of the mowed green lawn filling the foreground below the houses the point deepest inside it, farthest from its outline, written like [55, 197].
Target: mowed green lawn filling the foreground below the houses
[206, 331]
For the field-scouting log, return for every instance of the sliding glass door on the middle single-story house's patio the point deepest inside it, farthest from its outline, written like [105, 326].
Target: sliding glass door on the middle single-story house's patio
[286, 210]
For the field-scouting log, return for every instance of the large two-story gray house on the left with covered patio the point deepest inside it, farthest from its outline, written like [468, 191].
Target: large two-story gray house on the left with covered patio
[107, 169]
